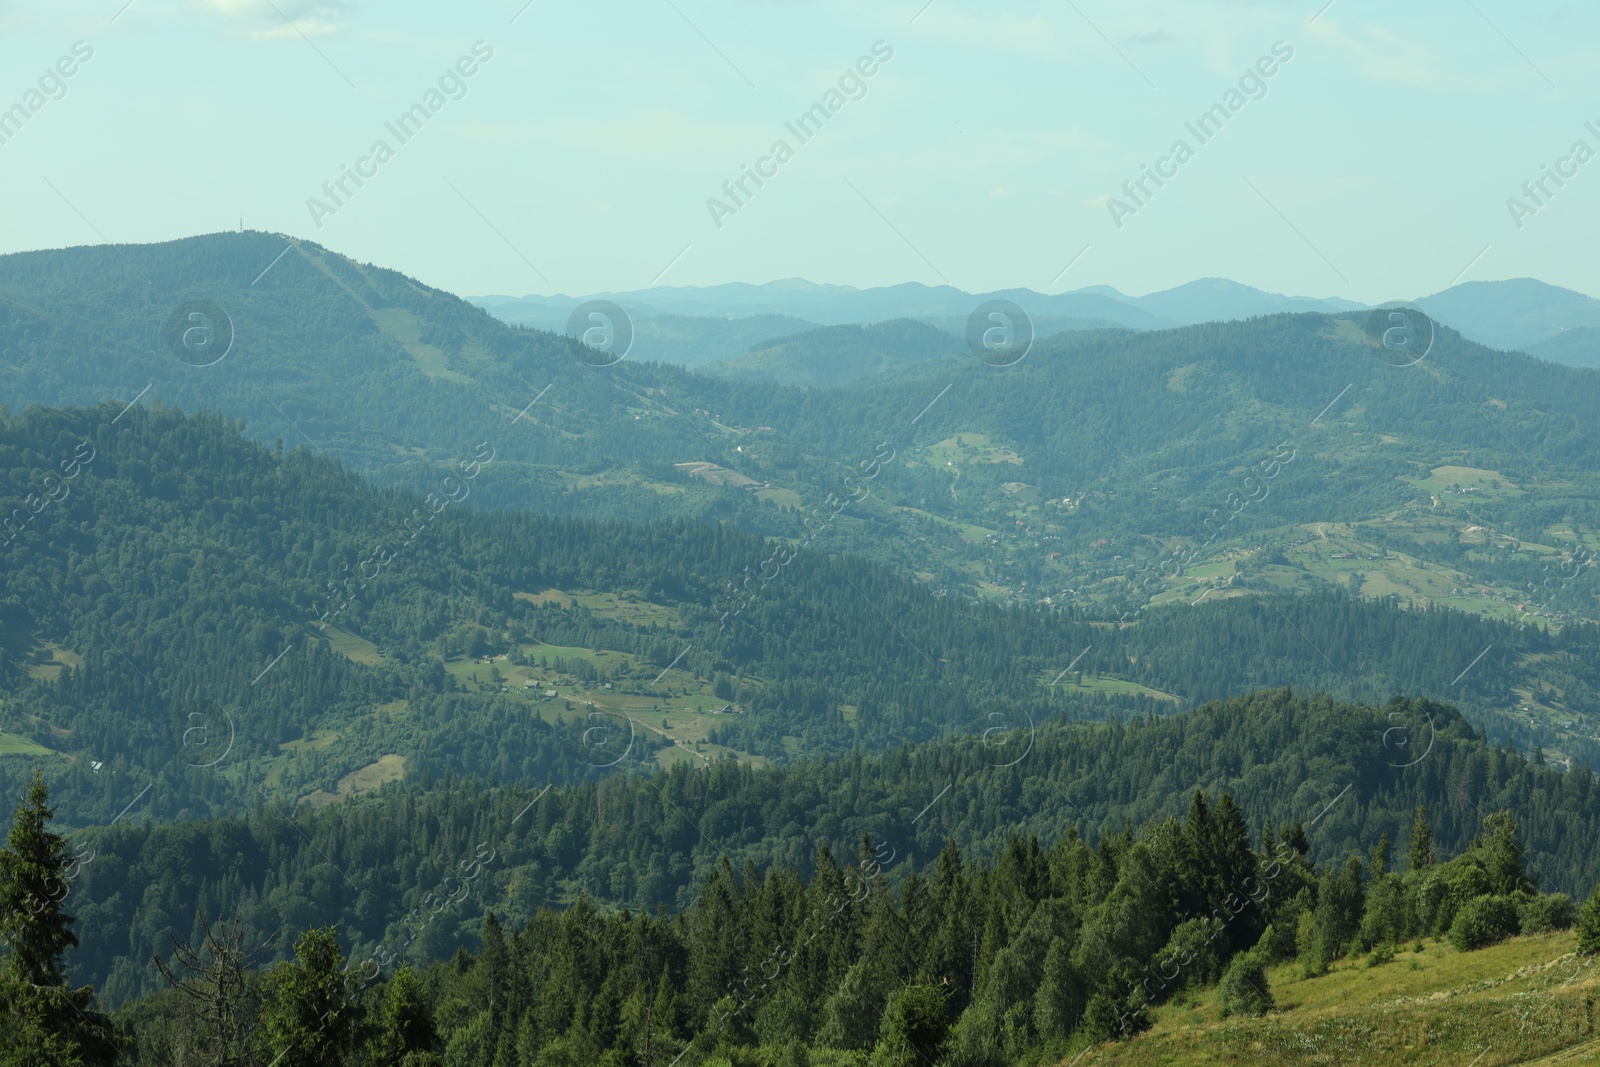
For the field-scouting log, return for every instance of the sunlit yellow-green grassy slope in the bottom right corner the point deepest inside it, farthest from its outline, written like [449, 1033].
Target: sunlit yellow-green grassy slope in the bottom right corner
[1522, 1002]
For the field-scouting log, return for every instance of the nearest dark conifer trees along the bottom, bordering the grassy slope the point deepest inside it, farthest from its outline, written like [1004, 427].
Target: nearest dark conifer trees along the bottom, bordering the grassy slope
[961, 962]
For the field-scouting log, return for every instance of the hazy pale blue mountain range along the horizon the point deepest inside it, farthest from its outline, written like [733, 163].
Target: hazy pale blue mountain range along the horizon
[726, 324]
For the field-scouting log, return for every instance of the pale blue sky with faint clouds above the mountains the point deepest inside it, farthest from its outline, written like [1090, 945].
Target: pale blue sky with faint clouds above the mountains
[1383, 151]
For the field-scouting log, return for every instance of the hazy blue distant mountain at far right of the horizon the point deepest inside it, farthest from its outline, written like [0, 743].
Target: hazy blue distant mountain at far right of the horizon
[1514, 314]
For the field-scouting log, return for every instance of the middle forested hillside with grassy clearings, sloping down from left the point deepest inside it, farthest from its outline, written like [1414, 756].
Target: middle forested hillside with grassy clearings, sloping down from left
[199, 634]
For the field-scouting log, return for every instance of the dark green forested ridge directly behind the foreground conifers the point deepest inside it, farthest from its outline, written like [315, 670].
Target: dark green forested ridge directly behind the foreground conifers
[649, 844]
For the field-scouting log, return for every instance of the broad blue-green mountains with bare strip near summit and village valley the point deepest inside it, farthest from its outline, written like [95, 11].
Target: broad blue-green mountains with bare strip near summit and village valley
[1108, 473]
